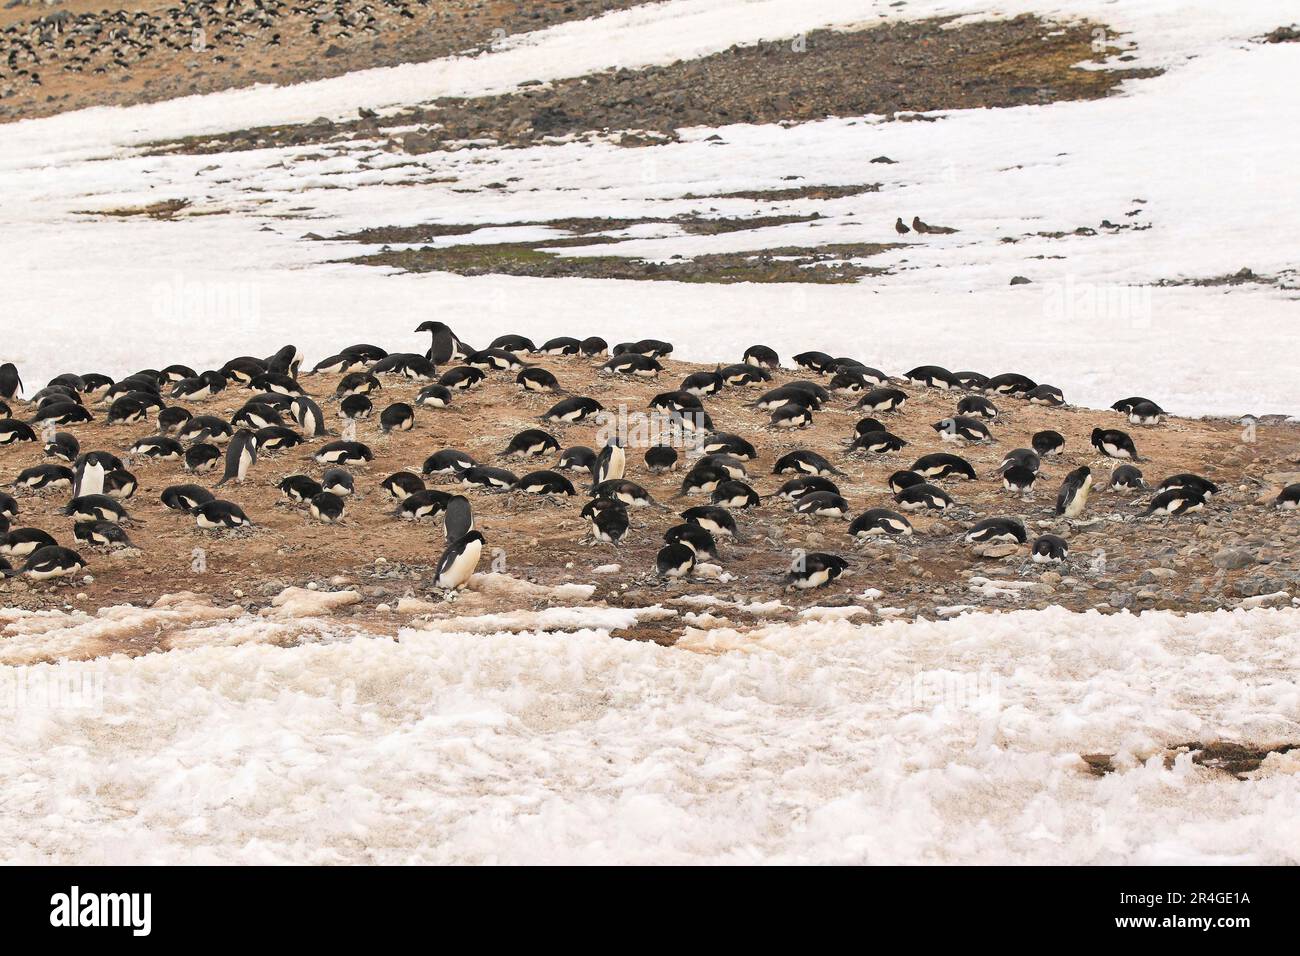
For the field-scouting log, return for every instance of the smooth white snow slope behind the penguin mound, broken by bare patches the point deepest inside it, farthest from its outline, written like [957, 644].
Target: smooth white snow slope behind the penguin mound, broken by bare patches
[1211, 148]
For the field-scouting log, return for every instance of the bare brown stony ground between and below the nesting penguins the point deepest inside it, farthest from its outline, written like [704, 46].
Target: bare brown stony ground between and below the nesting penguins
[1240, 552]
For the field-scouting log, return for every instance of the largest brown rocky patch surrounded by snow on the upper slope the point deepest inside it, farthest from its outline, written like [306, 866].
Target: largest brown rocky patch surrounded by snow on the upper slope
[892, 70]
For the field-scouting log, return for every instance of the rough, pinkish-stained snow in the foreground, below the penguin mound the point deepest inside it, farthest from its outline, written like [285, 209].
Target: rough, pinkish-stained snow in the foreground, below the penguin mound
[813, 743]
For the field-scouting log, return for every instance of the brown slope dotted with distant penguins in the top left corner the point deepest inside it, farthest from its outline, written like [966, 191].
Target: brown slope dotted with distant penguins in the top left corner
[80, 54]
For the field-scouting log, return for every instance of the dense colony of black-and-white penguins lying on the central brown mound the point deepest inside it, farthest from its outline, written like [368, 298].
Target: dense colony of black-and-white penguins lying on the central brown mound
[213, 457]
